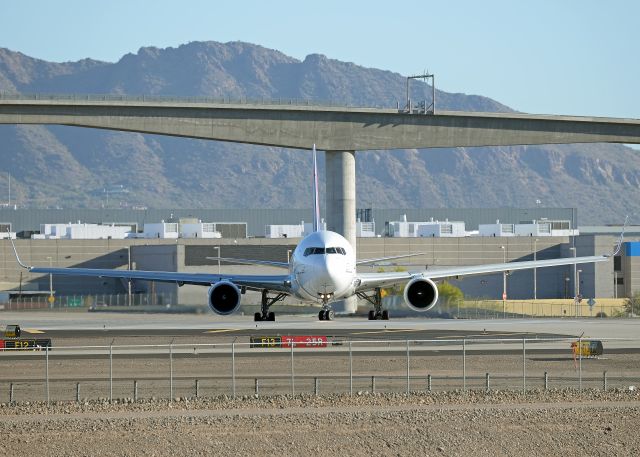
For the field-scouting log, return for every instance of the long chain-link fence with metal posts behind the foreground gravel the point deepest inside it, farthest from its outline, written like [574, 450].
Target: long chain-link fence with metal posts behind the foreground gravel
[242, 369]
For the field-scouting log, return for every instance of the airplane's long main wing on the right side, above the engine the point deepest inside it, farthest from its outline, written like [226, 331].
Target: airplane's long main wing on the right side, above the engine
[368, 281]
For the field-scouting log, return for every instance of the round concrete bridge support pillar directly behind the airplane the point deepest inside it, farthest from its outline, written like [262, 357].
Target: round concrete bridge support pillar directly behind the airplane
[341, 204]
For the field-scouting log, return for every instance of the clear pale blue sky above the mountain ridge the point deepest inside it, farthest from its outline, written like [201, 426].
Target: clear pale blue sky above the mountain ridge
[544, 56]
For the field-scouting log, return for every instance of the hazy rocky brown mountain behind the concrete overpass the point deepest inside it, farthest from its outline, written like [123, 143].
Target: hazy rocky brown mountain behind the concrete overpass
[72, 167]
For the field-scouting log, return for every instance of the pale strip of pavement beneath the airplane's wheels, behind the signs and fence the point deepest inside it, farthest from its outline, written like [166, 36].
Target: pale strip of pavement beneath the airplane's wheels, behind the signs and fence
[81, 325]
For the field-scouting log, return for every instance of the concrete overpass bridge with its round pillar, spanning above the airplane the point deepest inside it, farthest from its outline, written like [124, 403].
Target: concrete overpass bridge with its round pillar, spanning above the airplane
[340, 131]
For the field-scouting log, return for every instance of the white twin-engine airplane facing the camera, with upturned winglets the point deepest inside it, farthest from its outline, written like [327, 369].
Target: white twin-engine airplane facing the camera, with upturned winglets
[322, 269]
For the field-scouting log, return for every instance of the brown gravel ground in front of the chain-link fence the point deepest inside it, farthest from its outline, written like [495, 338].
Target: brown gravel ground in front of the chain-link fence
[449, 423]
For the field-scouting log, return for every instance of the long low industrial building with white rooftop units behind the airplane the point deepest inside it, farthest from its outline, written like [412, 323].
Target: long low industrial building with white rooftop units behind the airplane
[189, 245]
